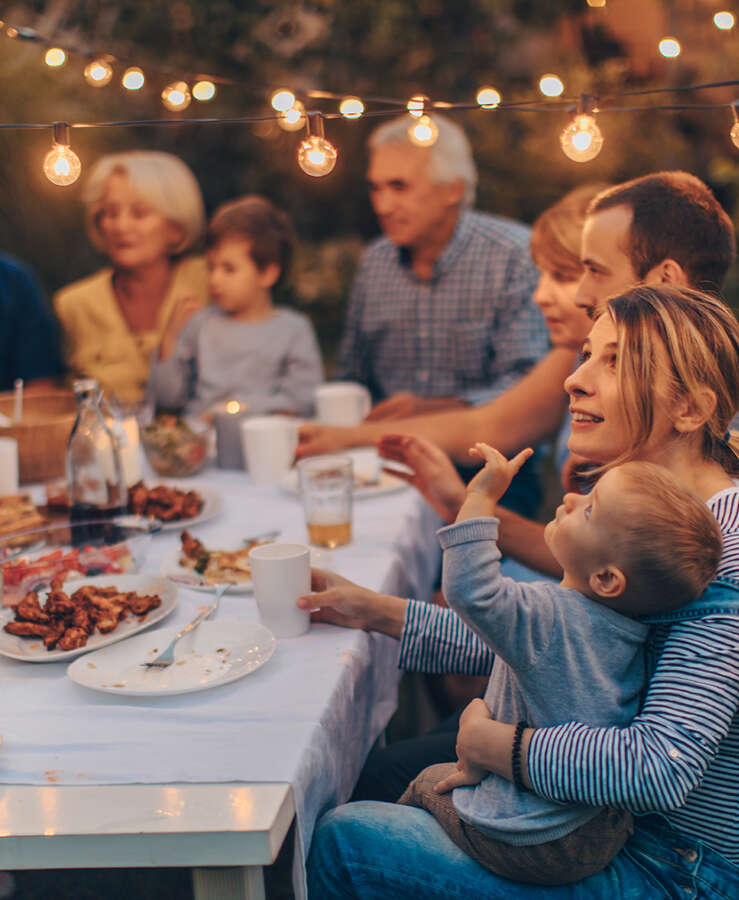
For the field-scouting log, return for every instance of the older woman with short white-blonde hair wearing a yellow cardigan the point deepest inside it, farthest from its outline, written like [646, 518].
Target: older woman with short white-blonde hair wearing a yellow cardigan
[144, 211]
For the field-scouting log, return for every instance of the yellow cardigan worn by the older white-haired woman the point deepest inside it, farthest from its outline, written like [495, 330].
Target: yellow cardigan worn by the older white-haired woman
[98, 342]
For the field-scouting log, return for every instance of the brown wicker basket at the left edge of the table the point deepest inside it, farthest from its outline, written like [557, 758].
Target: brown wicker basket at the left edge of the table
[41, 434]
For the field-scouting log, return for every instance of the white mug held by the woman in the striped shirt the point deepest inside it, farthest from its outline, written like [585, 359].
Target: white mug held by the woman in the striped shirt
[281, 574]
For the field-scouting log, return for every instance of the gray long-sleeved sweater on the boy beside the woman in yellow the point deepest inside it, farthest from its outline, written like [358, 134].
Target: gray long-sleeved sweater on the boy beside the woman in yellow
[271, 366]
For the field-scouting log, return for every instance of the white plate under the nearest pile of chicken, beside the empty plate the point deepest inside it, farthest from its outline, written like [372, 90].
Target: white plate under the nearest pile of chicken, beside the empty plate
[33, 650]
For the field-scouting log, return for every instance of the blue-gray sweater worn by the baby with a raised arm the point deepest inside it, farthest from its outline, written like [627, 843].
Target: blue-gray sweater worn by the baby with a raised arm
[559, 657]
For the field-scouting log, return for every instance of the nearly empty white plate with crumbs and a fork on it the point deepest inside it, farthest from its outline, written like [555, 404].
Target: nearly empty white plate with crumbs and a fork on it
[215, 653]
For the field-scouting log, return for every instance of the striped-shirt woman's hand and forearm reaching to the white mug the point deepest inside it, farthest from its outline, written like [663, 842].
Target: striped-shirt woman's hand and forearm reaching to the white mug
[341, 602]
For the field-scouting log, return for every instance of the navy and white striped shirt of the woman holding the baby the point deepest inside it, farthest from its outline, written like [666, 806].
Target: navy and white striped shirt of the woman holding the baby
[680, 755]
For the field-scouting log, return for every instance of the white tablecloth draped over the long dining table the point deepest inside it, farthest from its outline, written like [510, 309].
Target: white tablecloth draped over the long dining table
[307, 717]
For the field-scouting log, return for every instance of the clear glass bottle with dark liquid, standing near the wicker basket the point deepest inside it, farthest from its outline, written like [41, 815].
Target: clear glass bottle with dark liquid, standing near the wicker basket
[95, 482]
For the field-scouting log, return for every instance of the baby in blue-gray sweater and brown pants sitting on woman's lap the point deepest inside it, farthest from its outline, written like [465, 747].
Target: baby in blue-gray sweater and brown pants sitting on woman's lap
[638, 545]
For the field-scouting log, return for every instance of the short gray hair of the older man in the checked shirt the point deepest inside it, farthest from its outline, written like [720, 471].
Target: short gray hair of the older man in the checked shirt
[450, 157]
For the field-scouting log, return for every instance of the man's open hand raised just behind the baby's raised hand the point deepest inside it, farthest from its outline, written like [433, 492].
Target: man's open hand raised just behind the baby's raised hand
[433, 472]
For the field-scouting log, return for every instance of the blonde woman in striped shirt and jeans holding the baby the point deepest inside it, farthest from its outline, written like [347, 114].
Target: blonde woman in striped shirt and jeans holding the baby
[659, 382]
